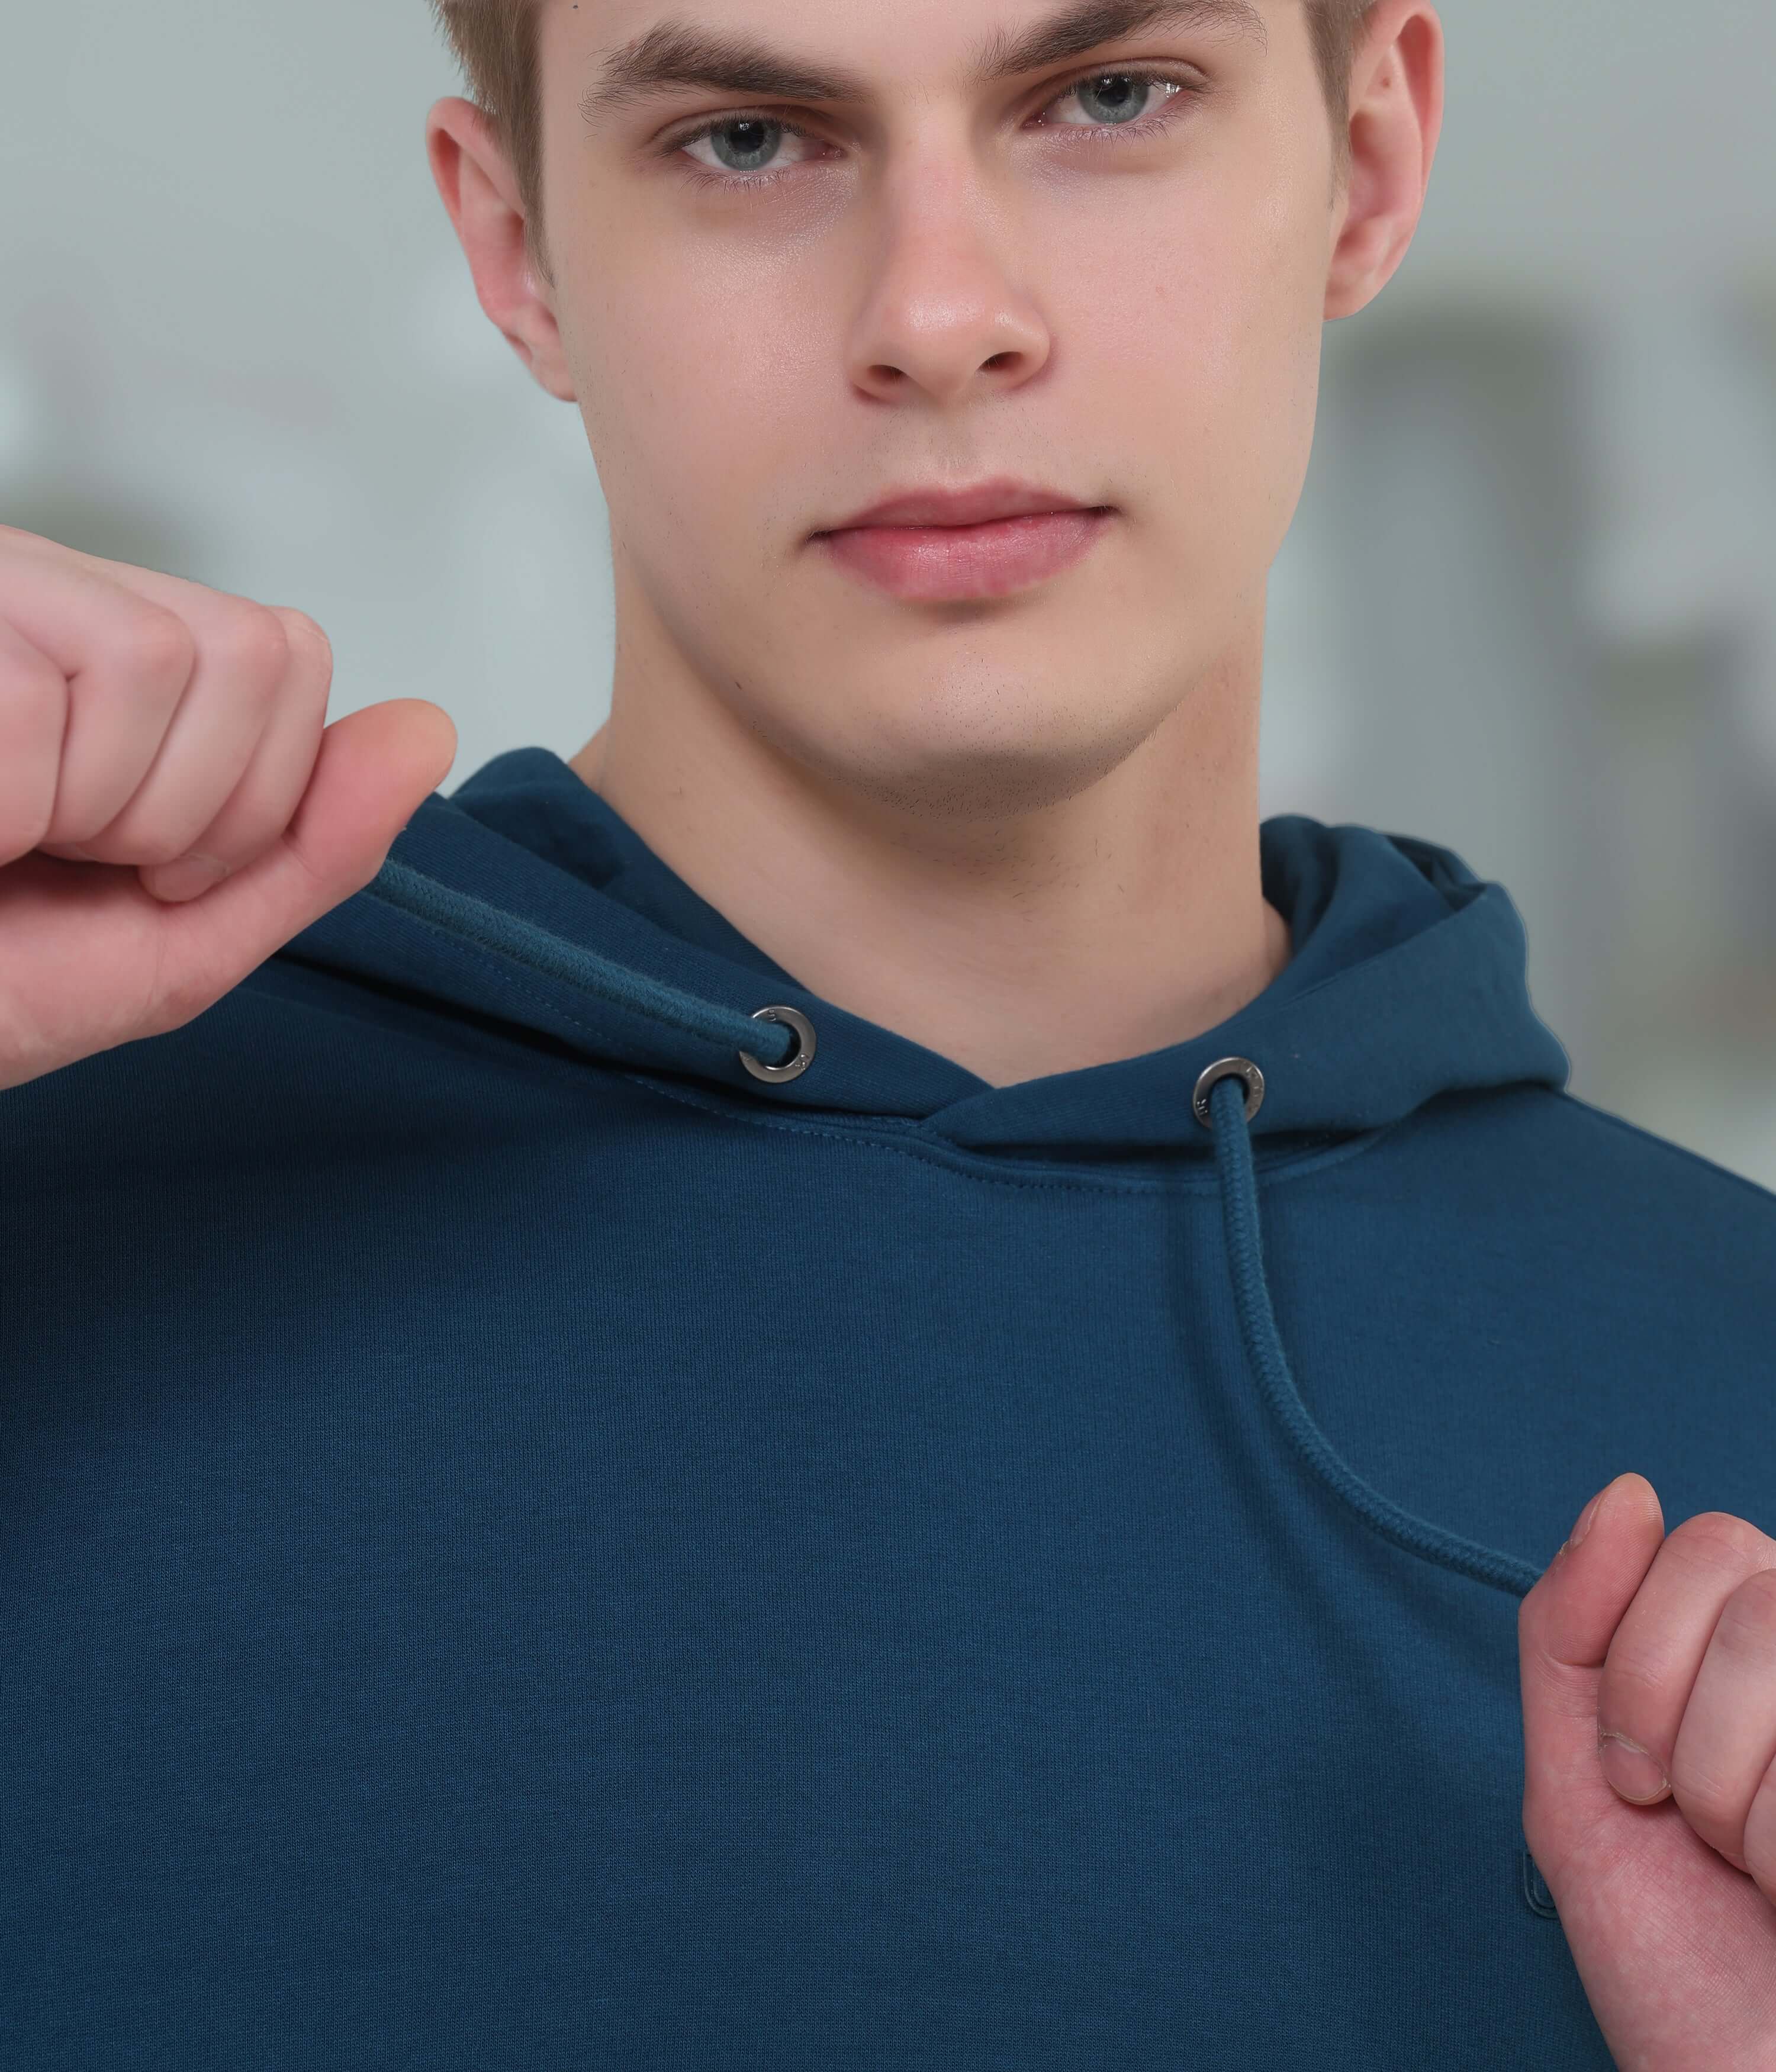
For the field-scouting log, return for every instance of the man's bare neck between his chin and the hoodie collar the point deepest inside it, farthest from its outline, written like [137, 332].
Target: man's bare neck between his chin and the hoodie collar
[1110, 923]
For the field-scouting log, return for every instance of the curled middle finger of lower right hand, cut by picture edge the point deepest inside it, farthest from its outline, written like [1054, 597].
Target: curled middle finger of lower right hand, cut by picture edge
[1727, 1739]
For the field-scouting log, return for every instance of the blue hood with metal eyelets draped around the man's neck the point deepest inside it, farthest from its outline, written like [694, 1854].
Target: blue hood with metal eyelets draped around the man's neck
[527, 900]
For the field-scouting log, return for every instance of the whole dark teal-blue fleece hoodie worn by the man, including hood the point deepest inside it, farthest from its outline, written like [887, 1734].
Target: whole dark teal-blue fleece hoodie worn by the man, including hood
[525, 1545]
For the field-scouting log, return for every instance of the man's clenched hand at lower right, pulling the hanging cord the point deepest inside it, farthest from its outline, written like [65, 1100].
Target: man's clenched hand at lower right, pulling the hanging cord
[1649, 1669]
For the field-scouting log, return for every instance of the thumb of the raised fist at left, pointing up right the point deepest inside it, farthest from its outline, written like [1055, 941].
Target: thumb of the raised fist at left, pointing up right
[374, 770]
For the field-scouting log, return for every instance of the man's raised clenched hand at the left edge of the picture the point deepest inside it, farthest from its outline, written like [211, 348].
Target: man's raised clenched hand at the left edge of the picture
[150, 722]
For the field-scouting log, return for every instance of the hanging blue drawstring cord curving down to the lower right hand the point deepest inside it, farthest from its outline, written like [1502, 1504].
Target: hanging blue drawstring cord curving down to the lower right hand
[1265, 1350]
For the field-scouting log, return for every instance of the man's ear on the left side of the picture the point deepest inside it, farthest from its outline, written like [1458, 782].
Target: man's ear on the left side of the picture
[482, 196]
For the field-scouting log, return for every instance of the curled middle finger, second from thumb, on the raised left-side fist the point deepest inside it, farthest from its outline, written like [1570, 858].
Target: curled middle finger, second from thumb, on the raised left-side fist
[244, 654]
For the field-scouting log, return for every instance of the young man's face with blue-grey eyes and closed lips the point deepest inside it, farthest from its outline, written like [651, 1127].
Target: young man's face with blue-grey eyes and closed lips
[1104, 275]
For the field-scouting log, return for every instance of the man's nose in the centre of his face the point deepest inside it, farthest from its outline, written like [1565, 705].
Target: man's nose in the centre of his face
[944, 312]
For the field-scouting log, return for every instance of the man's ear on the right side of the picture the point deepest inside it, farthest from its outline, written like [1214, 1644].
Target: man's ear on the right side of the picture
[1396, 121]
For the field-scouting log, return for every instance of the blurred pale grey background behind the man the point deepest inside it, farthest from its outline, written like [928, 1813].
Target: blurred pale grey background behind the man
[1528, 606]
